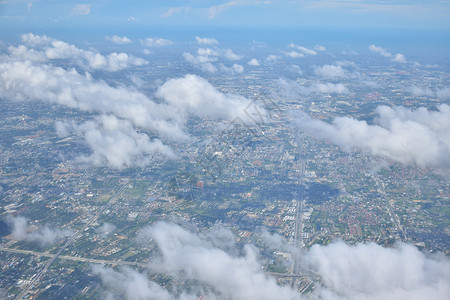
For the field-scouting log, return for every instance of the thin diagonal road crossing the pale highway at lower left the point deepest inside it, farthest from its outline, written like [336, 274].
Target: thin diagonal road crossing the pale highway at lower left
[69, 241]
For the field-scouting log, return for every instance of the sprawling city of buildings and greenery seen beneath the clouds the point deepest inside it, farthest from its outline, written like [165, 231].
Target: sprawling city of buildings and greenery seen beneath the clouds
[259, 178]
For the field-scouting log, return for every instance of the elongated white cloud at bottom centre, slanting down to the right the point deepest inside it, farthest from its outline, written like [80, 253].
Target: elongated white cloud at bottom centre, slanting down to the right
[233, 277]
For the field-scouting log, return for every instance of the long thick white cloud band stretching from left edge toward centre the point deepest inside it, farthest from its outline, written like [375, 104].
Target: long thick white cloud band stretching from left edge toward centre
[25, 81]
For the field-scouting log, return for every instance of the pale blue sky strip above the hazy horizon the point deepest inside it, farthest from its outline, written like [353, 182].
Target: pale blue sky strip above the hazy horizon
[431, 14]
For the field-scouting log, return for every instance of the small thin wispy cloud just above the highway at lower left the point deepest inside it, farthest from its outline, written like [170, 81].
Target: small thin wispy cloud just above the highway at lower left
[44, 236]
